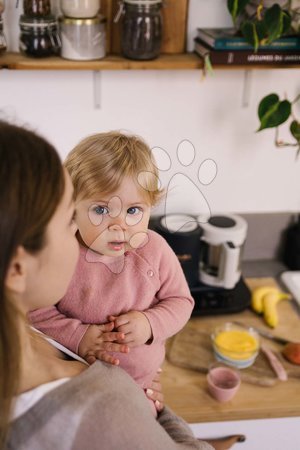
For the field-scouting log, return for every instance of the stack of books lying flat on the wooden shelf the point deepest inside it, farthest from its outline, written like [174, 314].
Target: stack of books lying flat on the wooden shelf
[223, 46]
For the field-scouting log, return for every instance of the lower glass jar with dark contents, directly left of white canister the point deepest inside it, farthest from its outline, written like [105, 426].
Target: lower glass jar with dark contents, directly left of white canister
[39, 36]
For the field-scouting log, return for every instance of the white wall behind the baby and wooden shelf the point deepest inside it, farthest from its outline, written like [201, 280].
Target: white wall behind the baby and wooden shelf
[166, 107]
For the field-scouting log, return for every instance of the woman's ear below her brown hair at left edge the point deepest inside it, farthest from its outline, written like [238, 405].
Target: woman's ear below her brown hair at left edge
[15, 280]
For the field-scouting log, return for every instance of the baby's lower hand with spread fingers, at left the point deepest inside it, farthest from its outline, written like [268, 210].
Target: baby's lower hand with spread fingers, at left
[100, 339]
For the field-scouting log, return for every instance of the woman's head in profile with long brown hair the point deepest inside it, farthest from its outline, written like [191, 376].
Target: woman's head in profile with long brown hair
[35, 214]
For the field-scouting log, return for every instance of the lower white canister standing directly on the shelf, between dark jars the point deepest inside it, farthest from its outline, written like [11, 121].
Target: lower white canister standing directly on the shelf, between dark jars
[83, 39]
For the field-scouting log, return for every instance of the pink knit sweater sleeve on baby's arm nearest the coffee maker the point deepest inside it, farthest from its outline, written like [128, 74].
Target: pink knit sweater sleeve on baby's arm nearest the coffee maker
[175, 303]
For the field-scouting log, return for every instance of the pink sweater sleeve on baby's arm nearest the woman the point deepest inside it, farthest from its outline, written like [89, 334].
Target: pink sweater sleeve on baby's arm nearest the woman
[65, 330]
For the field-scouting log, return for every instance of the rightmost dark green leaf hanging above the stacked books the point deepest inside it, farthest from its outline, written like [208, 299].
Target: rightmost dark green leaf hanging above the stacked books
[276, 21]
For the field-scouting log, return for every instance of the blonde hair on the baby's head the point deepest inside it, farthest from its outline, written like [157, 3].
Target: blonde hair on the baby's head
[99, 163]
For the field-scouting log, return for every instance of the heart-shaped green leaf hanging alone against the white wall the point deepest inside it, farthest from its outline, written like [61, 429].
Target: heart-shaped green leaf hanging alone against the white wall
[272, 112]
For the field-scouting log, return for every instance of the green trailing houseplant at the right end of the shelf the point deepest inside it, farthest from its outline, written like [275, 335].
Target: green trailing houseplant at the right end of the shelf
[261, 22]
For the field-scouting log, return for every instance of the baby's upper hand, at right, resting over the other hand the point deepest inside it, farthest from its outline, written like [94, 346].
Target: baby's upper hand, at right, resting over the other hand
[135, 326]
